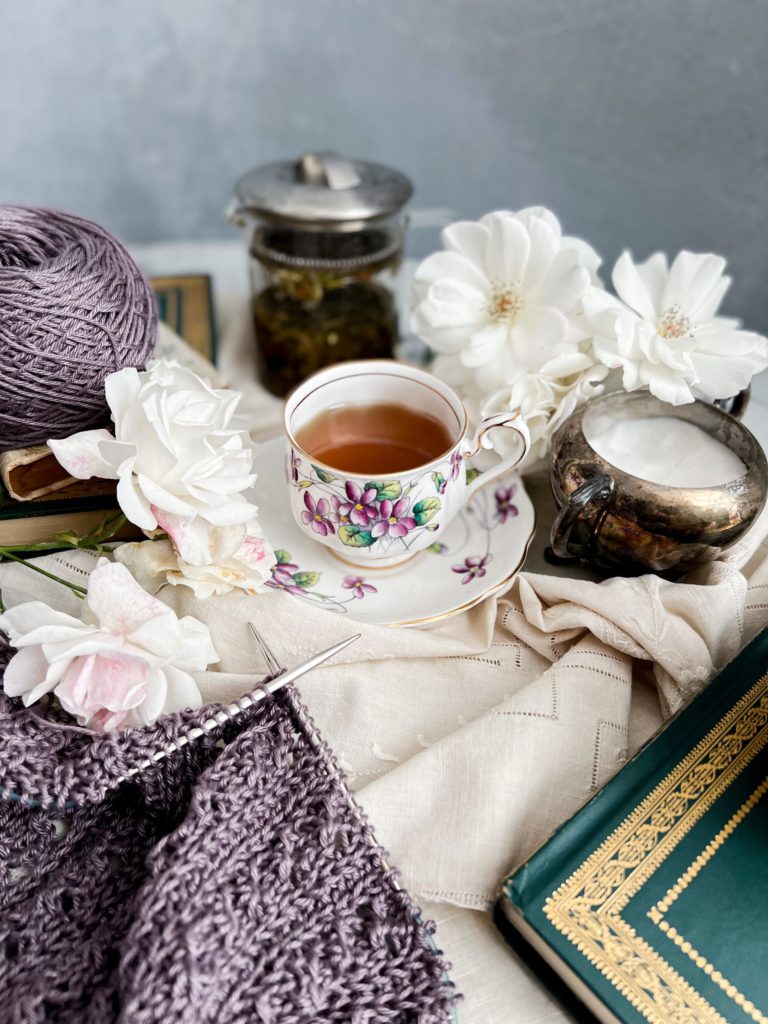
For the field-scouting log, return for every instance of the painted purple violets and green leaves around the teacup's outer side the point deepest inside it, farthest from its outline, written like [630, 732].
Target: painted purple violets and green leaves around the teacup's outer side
[388, 517]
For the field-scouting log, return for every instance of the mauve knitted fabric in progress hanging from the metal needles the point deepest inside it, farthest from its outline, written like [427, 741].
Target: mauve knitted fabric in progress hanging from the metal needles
[235, 881]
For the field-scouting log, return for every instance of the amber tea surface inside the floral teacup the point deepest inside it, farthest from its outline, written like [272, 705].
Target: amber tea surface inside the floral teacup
[376, 439]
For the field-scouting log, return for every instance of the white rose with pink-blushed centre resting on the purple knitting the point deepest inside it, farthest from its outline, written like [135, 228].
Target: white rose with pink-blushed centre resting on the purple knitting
[125, 663]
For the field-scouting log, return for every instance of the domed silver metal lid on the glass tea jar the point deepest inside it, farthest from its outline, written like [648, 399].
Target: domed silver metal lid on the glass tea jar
[323, 189]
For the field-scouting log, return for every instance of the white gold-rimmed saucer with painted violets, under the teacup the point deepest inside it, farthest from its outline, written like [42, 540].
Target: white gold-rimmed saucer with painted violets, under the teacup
[479, 554]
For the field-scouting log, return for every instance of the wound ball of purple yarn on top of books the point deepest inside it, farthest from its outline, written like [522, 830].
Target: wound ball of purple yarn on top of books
[74, 308]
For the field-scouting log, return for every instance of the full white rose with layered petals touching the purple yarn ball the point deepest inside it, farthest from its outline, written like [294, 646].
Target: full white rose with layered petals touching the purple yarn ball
[178, 450]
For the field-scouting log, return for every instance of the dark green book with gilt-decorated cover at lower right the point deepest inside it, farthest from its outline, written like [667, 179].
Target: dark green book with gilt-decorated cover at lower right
[652, 903]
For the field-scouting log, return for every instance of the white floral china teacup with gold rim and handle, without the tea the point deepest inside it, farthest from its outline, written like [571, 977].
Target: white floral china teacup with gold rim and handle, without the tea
[369, 521]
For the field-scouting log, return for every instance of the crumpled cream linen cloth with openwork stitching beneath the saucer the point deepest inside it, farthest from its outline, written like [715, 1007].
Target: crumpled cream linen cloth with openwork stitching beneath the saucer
[470, 742]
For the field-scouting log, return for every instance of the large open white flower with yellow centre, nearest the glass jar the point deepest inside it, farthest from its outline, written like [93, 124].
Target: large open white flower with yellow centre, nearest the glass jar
[504, 298]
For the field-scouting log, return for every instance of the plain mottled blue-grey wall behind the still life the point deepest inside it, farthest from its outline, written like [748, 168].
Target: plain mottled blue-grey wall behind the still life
[643, 124]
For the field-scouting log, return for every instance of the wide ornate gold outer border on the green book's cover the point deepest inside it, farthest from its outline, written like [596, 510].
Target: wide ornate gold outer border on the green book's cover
[587, 908]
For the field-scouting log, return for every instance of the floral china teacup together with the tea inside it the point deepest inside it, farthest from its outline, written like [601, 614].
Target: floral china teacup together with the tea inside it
[377, 459]
